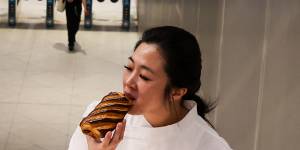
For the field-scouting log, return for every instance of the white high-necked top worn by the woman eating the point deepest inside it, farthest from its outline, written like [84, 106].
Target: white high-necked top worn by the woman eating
[190, 133]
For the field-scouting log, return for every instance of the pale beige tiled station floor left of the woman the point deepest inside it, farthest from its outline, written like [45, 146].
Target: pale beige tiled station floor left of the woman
[44, 88]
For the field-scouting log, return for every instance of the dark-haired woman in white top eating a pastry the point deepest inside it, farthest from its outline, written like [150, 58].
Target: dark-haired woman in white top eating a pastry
[162, 77]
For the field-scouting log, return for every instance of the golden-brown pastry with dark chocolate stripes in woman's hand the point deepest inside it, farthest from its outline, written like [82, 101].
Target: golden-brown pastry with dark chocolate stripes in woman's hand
[111, 110]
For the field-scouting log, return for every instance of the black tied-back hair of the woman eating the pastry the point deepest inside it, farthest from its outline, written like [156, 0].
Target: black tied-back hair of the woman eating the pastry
[182, 54]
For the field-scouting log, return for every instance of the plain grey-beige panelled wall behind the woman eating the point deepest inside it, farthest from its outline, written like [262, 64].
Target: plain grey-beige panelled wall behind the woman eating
[251, 51]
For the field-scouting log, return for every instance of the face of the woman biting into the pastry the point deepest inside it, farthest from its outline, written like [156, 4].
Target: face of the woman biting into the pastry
[144, 80]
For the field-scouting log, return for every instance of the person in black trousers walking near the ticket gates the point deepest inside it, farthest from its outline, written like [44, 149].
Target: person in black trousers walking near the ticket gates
[73, 14]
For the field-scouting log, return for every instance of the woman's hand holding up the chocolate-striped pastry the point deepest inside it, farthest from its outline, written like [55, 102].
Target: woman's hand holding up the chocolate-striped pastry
[110, 141]
